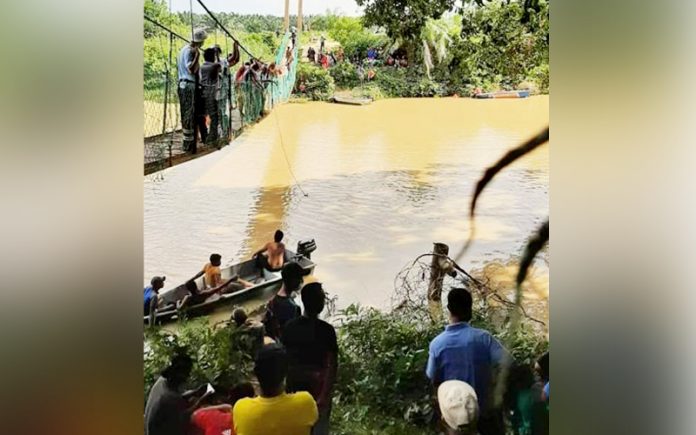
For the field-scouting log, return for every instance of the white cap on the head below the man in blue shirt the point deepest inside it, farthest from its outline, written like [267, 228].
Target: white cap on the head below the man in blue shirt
[459, 407]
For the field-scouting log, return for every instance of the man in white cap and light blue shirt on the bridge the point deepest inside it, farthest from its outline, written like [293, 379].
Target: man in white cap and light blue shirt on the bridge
[188, 69]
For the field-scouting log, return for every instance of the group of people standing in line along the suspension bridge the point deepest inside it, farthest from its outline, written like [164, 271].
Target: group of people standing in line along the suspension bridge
[205, 89]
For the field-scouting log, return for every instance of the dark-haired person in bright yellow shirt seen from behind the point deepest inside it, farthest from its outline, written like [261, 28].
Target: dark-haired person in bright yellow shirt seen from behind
[275, 411]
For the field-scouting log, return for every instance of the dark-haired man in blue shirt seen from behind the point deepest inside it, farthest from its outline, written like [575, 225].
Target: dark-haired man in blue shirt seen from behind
[468, 354]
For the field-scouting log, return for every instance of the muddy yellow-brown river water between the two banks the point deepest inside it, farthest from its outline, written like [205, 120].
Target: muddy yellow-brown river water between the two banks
[383, 182]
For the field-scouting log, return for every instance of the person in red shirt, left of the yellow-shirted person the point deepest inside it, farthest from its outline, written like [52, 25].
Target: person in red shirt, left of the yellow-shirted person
[217, 420]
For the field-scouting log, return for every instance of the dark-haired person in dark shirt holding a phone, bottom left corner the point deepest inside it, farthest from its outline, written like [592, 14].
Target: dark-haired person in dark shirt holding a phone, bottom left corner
[167, 411]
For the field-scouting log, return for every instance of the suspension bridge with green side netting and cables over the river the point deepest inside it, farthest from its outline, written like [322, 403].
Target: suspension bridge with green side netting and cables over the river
[242, 103]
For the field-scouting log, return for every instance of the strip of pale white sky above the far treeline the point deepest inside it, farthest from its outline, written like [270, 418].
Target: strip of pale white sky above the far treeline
[269, 7]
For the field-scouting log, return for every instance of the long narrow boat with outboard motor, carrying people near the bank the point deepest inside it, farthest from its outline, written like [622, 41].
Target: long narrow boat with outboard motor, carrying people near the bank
[247, 270]
